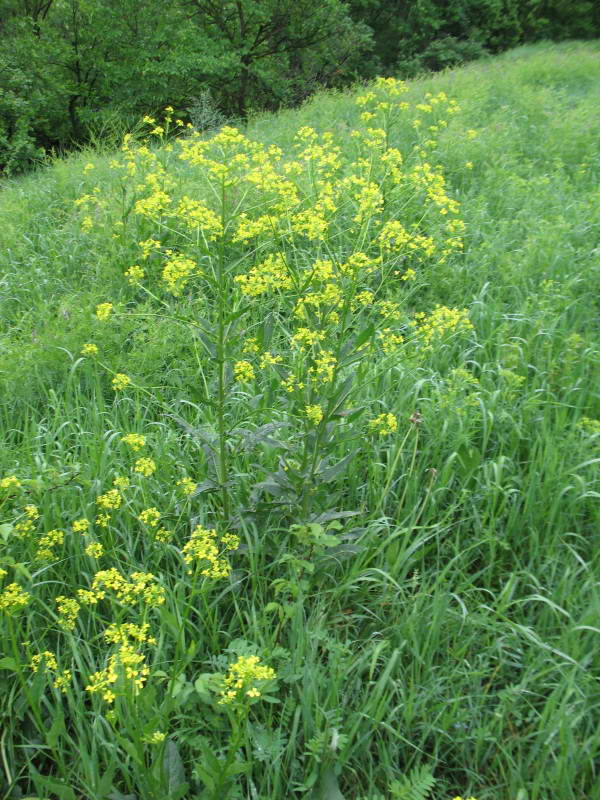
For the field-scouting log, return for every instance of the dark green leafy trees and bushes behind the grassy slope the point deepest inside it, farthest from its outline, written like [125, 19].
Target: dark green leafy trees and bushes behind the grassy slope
[75, 71]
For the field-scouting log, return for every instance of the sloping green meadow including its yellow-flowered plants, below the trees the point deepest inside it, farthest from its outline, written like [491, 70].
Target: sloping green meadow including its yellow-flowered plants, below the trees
[300, 432]
